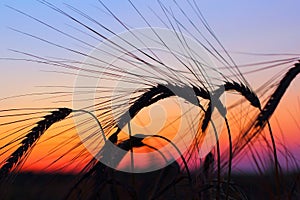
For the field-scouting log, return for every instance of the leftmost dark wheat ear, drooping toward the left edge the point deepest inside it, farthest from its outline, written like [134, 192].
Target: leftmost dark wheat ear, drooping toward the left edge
[32, 137]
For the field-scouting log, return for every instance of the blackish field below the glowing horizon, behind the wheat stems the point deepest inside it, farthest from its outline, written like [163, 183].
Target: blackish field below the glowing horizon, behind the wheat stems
[46, 186]
